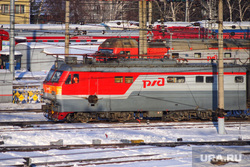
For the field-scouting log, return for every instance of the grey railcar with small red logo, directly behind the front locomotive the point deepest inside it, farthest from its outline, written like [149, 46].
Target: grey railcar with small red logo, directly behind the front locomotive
[206, 51]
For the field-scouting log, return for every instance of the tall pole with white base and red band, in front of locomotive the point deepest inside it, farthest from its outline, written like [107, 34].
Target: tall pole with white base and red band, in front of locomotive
[221, 127]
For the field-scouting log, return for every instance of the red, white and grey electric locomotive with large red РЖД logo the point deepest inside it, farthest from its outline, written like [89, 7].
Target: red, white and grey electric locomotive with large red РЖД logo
[121, 89]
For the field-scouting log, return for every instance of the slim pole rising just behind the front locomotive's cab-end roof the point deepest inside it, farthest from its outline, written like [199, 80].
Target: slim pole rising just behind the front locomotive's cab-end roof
[67, 30]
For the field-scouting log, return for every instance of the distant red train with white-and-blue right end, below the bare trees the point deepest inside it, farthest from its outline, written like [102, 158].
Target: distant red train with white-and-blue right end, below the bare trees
[200, 30]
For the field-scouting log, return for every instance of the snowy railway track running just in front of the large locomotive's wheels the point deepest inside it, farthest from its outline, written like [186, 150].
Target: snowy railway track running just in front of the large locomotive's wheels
[38, 126]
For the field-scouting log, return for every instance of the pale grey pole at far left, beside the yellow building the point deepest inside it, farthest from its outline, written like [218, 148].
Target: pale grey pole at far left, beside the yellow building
[12, 38]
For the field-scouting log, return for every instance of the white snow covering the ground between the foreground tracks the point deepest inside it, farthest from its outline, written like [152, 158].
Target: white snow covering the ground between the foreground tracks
[113, 133]
